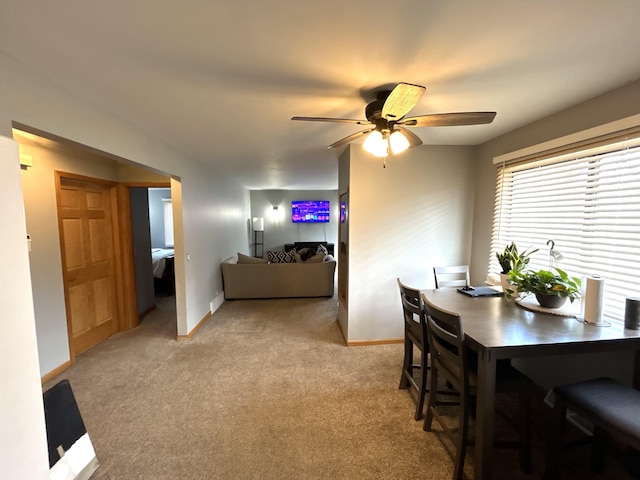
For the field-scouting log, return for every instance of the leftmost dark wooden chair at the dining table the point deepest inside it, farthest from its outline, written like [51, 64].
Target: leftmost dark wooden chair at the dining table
[414, 335]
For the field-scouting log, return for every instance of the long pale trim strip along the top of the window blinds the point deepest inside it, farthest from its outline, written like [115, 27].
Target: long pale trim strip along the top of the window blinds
[584, 135]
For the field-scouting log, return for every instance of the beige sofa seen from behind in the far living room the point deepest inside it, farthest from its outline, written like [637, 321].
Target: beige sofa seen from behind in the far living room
[277, 280]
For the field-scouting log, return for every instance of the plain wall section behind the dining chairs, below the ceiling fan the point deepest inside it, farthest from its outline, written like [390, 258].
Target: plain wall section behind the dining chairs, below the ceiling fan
[403, 220]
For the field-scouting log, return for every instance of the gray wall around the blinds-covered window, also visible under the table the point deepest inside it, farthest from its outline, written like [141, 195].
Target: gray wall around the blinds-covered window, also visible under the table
[614, 105]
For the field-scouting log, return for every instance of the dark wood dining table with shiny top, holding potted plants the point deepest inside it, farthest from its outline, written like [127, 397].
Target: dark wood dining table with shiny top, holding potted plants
[496, 328]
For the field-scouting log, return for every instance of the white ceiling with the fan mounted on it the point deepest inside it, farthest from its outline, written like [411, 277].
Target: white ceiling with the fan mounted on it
[221, 79]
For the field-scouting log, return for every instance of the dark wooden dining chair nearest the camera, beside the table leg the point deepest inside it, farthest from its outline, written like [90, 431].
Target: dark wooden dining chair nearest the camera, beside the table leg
[454, 362]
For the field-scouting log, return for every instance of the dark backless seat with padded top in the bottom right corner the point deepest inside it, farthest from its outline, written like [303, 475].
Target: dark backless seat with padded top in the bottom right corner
[611, 407]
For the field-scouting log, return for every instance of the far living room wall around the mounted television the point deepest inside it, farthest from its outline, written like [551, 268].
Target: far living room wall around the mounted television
[278, 227]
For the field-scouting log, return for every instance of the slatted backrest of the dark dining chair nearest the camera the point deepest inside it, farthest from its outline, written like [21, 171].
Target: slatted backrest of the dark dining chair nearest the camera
[446, 344]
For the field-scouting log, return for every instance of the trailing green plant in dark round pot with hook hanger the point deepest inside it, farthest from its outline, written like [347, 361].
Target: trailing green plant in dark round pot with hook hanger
[550, 288]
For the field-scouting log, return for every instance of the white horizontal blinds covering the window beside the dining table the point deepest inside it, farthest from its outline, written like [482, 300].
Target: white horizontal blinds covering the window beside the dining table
[589, 205]
